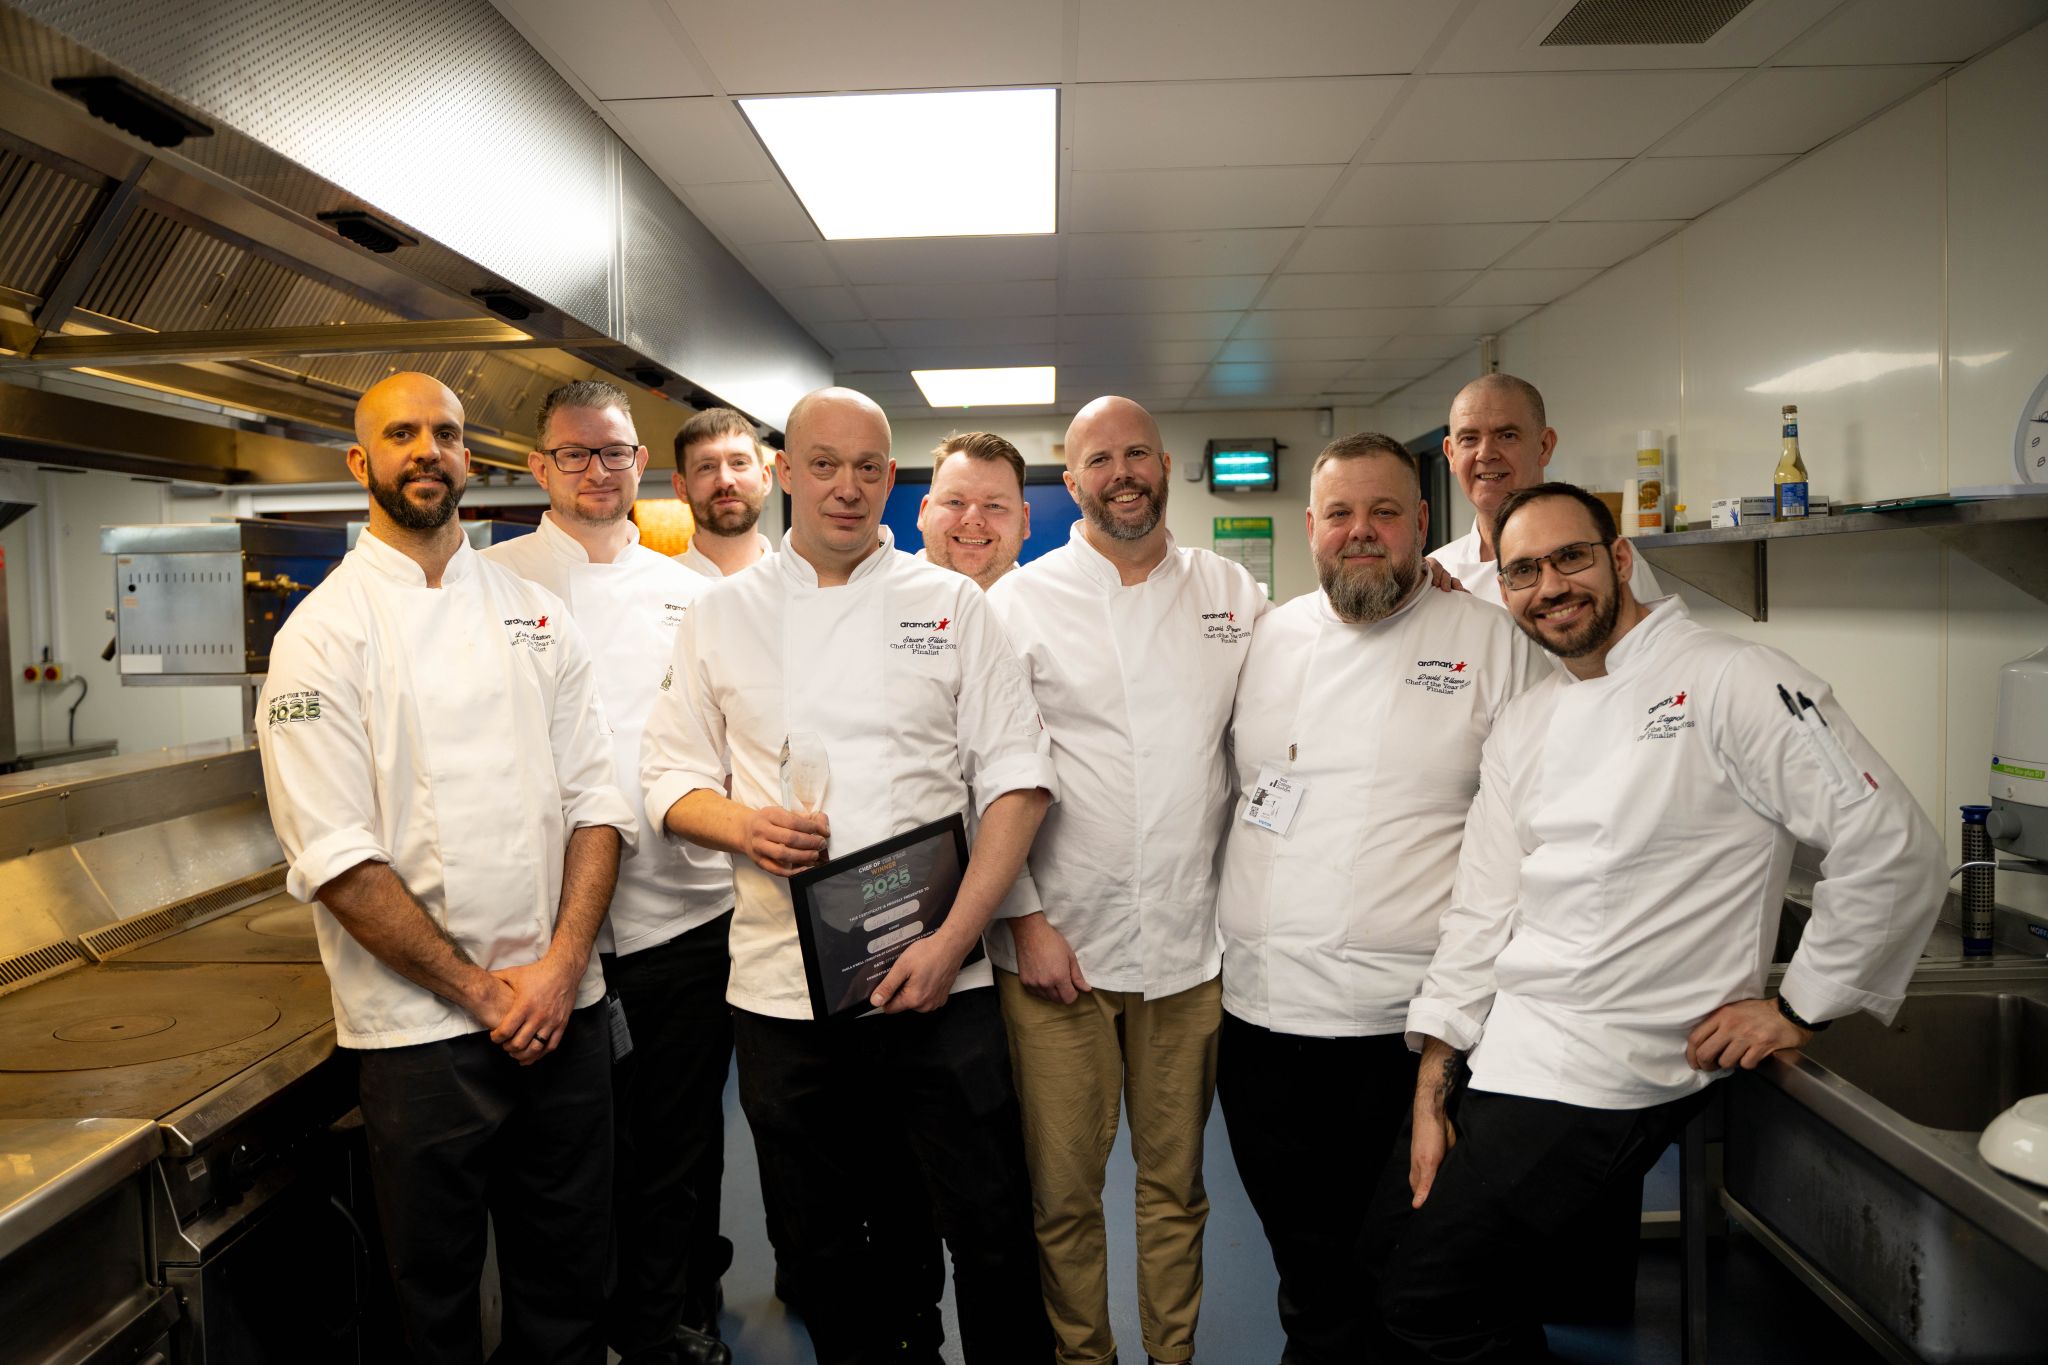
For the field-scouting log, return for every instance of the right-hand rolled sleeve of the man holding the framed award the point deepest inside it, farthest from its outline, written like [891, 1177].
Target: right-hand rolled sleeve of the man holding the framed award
[1002, 740]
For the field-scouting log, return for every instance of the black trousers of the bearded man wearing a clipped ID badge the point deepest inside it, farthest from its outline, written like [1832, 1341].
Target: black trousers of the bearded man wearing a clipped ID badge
[1312, 1122]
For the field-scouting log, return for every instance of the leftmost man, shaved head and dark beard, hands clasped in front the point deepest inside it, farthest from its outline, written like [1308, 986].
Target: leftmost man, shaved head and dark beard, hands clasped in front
[441, 783]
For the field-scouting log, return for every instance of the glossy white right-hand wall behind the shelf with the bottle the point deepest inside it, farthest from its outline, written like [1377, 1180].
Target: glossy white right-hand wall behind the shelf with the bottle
[1895, 288]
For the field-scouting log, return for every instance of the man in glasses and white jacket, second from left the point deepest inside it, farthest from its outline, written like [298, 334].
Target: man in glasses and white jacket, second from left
[665, 940]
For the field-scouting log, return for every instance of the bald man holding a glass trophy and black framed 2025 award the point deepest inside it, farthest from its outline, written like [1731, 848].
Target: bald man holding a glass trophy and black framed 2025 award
[904, 678]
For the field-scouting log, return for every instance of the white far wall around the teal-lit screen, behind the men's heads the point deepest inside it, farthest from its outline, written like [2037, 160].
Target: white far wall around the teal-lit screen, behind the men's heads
[1191, 507]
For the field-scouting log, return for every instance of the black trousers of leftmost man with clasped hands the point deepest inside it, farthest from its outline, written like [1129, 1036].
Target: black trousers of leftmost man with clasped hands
[460, 1131]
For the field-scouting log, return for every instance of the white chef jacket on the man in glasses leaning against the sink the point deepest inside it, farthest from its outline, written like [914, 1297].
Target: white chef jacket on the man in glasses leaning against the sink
[1627, 858]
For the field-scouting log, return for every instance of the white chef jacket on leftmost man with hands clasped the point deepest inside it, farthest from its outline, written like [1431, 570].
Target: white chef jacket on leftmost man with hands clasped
[454, 734]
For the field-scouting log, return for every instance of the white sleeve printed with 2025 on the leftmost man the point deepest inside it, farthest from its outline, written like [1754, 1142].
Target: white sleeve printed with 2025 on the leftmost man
[316, 760]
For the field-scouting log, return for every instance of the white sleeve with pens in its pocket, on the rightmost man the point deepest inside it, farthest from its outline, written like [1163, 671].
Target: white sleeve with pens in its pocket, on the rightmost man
[1883, 869]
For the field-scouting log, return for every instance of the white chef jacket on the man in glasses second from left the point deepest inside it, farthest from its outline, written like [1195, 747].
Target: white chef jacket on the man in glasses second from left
[630, 611]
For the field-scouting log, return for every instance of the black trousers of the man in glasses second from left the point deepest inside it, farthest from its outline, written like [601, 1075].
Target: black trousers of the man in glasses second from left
[669, 1114]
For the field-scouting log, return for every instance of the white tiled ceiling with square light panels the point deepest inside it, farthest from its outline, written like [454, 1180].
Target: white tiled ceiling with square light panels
[1295, 204]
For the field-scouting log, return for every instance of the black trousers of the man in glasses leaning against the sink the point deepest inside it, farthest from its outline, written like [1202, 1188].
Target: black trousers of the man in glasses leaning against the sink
[1457, 1280]
